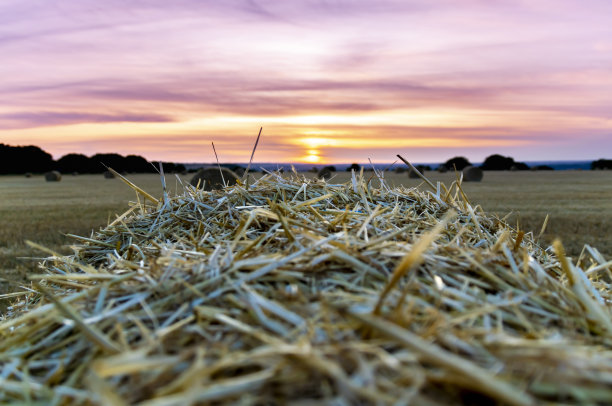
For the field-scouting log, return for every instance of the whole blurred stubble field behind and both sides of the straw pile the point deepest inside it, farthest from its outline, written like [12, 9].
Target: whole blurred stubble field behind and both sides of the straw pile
[579, 204]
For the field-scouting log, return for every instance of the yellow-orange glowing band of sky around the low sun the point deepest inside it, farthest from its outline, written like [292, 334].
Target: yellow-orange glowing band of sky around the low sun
[188, 139]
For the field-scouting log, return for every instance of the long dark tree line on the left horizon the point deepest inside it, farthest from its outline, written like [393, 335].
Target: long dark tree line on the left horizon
[32, 159]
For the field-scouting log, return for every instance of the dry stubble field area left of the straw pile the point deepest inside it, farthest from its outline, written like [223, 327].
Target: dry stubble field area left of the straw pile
[36, 210]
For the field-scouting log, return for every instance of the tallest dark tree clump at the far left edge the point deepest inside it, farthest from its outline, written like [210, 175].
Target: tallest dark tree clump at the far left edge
[22, 159]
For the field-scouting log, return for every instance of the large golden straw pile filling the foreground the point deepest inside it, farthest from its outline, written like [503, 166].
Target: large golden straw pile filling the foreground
[305, 292]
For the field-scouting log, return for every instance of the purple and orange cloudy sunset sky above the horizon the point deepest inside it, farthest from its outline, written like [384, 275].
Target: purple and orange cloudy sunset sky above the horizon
[329, 81]
